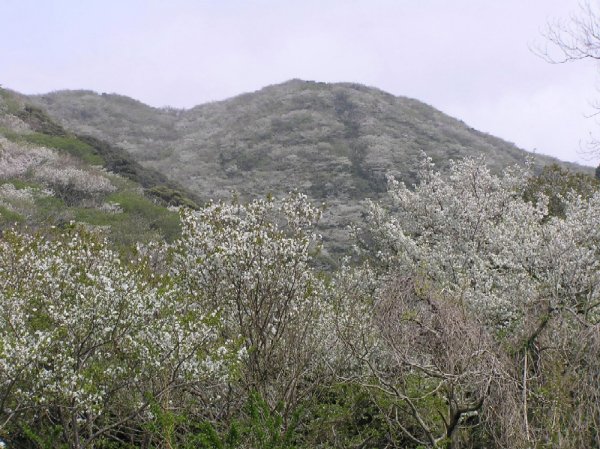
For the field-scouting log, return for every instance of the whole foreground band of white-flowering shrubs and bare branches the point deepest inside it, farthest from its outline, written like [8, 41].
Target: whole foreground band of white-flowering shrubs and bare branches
[469, 318]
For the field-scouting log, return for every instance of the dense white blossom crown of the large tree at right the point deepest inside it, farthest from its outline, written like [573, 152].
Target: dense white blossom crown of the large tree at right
[474, 234]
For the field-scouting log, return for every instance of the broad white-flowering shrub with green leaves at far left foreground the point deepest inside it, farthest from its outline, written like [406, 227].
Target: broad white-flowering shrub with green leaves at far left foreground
[89, 342]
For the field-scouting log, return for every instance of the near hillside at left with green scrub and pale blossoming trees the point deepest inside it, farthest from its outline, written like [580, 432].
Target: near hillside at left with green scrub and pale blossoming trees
[50, 176]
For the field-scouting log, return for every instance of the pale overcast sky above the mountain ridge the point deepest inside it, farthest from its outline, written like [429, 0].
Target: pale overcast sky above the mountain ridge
[469, 58]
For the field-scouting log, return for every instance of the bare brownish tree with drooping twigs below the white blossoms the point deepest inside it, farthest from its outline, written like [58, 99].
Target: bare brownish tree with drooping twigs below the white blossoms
[441, 365]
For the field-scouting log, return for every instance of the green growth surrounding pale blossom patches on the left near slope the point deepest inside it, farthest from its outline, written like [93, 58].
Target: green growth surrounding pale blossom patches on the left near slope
[140, 219]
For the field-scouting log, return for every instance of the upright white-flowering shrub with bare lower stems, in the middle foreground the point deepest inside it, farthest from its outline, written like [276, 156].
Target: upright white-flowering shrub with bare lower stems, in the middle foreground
[251, 265]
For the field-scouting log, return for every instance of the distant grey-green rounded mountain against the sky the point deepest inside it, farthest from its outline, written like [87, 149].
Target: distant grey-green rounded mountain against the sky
[335, 142]
